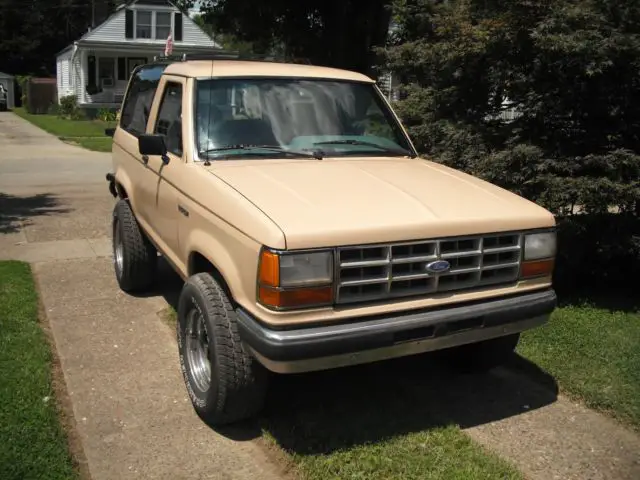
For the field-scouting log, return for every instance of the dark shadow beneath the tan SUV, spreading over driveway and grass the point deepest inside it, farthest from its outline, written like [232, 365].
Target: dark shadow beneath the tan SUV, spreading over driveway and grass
[321, 412]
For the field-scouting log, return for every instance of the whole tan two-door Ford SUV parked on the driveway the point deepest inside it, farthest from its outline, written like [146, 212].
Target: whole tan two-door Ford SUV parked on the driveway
[309, 233]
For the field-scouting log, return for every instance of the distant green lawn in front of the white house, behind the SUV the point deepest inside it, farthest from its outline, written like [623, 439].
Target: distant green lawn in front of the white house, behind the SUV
[86, 133]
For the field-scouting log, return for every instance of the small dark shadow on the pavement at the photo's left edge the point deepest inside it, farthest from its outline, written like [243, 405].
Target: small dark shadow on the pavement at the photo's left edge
[14, 210]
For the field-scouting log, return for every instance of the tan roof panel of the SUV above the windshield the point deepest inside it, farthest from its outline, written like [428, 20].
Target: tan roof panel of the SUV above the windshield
[242, 68]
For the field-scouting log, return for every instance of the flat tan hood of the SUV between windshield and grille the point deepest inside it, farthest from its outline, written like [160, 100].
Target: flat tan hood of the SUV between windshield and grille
[369, 200]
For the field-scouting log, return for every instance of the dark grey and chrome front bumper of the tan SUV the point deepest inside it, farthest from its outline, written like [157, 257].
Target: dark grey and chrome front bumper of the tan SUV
[379, 338]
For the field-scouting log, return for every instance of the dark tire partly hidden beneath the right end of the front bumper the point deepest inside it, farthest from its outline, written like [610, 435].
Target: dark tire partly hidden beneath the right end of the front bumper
[482, 356]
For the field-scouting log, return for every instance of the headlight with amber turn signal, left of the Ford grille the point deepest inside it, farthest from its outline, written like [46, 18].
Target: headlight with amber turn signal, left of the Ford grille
[295, 280]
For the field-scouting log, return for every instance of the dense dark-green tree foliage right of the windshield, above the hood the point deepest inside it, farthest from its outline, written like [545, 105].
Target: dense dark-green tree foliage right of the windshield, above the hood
[570, 69]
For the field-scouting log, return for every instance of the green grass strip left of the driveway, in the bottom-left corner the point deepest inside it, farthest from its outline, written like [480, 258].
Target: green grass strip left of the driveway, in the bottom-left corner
[32, 442]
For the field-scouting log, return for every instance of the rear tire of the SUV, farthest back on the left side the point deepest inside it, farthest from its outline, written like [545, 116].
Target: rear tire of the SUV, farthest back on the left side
[134, 257]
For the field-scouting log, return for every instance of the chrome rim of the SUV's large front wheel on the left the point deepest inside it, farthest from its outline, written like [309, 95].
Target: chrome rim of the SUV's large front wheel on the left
[198, 350]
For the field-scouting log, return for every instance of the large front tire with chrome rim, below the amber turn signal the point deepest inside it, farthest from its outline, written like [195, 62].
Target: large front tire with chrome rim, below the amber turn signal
[225, 383]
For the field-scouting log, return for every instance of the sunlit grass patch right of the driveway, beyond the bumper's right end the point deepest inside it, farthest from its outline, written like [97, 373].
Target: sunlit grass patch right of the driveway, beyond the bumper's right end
[594, 354]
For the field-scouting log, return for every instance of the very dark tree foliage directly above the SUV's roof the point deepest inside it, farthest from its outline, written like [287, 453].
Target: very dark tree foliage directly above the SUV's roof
[340, 33]
